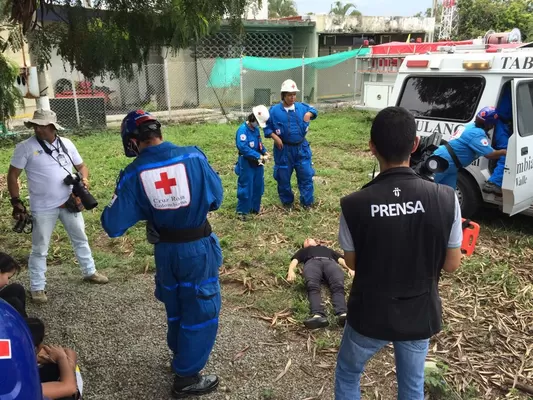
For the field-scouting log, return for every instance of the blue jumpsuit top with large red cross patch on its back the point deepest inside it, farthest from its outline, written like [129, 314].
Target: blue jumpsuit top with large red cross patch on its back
[172, 187]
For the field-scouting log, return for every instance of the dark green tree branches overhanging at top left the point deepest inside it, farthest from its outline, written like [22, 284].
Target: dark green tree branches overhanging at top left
[114, 35]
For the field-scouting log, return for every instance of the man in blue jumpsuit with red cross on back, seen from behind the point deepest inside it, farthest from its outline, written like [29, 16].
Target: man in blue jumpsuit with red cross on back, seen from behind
[173, 189]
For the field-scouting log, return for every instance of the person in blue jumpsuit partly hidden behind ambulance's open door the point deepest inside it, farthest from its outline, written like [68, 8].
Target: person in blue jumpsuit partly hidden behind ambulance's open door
[502, 132]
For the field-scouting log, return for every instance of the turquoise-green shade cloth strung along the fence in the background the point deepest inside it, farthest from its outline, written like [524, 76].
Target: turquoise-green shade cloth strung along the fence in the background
[226, 72]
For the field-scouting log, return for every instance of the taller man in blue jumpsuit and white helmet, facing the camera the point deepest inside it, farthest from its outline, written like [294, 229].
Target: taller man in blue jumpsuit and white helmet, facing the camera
[288, 126]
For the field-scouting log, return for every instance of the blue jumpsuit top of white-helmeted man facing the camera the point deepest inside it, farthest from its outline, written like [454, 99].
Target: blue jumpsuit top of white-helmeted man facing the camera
[289, 125]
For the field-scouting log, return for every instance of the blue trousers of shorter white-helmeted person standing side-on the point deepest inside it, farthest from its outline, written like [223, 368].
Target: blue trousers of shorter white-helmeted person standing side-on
[250, 186]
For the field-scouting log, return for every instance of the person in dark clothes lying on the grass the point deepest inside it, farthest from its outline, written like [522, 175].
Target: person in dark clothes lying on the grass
[321, 264]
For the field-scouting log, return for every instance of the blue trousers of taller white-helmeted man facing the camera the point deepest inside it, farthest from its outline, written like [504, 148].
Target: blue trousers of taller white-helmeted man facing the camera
[297, 158]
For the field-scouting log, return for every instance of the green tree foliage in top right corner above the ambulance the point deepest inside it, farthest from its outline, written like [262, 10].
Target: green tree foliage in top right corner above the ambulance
[476, 17]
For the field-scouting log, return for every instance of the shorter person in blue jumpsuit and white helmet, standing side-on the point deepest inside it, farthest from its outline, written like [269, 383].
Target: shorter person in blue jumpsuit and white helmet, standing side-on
[249, 167]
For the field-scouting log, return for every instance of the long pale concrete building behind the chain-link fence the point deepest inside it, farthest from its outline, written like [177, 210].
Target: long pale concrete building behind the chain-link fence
[179, 81]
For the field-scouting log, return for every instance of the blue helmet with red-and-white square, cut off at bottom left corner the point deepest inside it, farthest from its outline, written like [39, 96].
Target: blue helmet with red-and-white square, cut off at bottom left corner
[19, 377]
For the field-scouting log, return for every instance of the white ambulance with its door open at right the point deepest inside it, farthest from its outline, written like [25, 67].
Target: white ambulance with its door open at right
[445, 90]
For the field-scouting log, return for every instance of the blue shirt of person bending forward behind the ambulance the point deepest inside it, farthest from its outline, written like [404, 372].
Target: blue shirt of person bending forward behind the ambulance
[468, 146]
